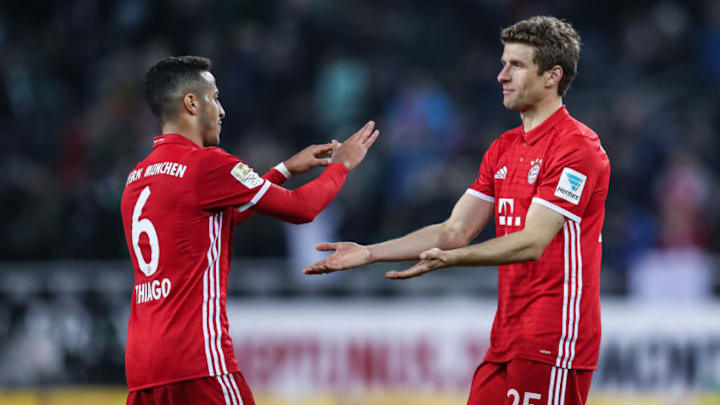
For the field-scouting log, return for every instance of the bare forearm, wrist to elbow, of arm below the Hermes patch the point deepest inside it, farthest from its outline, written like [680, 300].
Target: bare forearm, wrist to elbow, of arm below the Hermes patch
[513, 248]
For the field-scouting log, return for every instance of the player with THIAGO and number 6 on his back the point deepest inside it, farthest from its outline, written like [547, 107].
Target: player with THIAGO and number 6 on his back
[179, 208]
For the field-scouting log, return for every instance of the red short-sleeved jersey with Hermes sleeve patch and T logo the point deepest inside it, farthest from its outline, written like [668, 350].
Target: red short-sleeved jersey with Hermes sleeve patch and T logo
[549, 309]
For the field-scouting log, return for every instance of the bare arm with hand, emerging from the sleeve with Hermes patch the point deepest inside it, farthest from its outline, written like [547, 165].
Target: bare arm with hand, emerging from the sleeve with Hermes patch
[541, 226]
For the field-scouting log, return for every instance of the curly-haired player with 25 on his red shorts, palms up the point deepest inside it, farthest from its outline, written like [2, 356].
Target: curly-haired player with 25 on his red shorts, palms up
[545, 182]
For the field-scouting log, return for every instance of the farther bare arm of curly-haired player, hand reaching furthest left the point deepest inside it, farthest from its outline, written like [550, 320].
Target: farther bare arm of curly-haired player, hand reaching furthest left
[469, 216]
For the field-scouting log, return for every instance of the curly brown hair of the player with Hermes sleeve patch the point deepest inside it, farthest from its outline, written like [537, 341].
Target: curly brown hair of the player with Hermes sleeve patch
[555, 41]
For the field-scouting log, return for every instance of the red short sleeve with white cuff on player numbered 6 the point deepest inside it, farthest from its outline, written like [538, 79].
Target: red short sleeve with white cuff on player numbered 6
[224, 180]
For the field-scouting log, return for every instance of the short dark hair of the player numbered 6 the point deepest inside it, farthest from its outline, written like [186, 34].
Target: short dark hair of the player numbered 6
[171, 78]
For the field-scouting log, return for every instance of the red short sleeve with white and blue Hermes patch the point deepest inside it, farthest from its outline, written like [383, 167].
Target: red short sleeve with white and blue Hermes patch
[571, 176]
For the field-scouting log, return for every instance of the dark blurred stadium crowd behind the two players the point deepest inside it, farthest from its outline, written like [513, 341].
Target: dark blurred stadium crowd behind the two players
[74, 121]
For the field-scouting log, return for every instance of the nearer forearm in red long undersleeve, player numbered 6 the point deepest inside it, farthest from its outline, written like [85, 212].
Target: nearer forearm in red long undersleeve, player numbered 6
[304, 203]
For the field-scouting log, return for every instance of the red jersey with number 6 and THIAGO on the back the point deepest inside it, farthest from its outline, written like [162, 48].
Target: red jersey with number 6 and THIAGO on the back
[178, 208]
